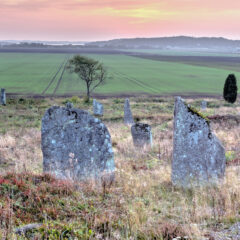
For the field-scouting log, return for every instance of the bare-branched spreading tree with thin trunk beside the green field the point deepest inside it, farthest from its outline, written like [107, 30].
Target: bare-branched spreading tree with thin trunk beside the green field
[90, 71]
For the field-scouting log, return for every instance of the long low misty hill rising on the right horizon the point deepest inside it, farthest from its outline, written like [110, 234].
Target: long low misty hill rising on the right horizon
[180, 42]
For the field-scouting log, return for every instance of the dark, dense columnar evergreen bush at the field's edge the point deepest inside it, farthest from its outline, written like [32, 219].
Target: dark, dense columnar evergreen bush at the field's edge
[230, 89]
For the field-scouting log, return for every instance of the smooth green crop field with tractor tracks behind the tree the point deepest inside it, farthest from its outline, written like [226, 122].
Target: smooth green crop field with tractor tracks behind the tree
[43, 73]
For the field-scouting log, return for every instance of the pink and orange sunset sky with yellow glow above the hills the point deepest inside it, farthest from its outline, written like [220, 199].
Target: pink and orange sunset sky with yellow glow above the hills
[83, 20]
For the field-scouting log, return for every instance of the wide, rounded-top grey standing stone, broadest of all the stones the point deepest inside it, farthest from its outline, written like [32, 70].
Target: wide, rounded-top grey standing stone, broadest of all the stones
[76, 145]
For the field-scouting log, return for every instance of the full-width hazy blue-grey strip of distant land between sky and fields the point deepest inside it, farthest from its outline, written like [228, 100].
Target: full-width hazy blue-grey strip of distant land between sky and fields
[162, 43]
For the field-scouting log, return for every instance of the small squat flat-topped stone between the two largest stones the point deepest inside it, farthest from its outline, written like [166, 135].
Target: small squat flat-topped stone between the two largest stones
[141, 134]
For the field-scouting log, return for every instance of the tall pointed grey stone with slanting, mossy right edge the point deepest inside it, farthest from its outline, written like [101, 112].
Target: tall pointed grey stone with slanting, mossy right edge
[198, 156]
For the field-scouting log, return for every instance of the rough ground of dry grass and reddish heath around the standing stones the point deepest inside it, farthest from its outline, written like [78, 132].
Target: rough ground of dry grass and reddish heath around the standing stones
[141, 203]
